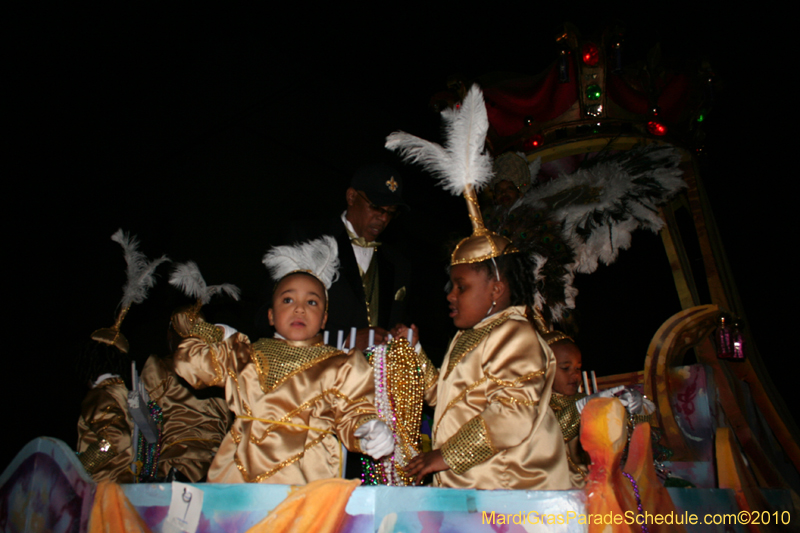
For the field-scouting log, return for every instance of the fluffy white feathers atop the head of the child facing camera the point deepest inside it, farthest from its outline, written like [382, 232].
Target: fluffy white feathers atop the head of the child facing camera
[319, 256]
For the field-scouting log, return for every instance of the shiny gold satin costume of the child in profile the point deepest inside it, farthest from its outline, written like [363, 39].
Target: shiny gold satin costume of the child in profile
[493, 422]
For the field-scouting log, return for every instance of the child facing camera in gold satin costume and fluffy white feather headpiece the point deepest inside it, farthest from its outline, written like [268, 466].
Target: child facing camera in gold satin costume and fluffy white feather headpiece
[292, 395]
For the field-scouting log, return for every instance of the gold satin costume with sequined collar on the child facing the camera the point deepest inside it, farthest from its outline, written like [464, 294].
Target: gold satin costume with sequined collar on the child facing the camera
[313, 390]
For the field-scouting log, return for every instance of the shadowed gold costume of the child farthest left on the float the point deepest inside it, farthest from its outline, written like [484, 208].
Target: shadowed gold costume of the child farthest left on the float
[104, 432]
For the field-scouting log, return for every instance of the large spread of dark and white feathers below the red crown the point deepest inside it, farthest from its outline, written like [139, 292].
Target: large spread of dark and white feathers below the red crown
[571, 223]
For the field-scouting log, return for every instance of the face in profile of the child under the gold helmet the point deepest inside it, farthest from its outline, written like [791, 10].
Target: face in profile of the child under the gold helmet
[471, 296]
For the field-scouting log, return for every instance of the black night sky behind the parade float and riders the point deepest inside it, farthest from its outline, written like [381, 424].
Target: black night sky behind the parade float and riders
[203, 133]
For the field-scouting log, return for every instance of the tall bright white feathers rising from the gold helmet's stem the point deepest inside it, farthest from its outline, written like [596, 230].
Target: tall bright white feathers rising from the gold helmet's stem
[463, 160]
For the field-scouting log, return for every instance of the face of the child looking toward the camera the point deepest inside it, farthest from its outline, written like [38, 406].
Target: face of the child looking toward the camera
[298, 307]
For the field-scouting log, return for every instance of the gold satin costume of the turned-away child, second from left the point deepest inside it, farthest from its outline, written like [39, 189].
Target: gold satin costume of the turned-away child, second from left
[192, 427]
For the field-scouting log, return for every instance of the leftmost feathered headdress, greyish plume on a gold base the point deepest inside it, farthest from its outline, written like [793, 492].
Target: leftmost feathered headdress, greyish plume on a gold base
[141, 278]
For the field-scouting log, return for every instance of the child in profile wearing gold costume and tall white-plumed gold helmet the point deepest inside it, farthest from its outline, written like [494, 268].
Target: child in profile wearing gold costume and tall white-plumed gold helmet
[493, 428]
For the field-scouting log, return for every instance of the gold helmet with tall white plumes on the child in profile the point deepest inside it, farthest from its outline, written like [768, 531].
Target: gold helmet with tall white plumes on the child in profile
[462, 166]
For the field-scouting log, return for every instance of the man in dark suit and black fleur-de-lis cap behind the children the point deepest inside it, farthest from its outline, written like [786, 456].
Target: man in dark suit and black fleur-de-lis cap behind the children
[370, 293]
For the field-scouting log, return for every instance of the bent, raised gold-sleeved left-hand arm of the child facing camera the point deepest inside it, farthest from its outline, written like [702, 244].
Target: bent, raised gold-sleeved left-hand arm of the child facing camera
[203, 357]
